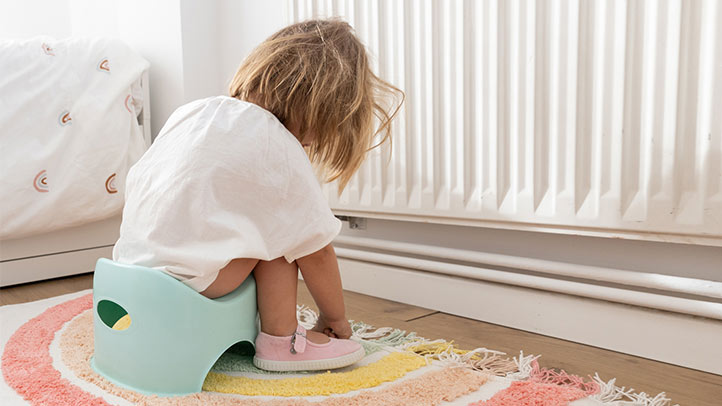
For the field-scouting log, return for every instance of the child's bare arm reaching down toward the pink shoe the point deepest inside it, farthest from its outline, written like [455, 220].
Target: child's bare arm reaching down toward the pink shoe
[321, 274]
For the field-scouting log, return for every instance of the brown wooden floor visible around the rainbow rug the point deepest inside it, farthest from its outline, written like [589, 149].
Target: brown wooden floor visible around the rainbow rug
[684, 386]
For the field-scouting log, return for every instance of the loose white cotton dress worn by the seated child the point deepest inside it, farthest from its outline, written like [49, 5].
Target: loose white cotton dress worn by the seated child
[224, 179]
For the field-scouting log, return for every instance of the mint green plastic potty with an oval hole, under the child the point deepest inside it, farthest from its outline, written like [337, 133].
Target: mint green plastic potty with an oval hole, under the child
[175, 335]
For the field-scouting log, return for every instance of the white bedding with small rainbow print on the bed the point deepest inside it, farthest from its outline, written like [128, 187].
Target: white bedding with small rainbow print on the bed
[68, 131]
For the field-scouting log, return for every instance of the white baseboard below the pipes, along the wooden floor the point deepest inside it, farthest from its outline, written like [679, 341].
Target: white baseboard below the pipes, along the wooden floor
[688, 341]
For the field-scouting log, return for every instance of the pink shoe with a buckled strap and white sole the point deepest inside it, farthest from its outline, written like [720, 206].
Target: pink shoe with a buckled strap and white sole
[295, 353]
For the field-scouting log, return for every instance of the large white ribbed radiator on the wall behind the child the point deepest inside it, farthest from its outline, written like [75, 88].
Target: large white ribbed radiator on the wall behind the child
[584, 117]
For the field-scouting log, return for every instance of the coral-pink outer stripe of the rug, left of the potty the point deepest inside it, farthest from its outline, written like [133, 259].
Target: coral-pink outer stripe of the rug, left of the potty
[28, 368]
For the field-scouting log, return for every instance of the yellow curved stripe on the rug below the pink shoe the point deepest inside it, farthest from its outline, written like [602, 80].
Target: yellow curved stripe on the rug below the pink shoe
[387, 369]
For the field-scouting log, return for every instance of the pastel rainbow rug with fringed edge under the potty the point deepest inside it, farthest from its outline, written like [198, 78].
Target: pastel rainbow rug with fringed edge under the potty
[46, 346]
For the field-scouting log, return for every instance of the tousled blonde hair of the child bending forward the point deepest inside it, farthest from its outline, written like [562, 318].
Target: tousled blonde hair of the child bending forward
[315, 75]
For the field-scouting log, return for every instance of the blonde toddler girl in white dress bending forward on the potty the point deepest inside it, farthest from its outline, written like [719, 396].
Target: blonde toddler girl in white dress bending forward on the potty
[227, 188]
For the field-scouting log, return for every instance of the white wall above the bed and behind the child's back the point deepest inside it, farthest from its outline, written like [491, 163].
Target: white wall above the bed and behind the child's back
[194, 46]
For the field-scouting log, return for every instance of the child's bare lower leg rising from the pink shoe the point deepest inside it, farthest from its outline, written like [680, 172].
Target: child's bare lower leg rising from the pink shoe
[277, 287]
